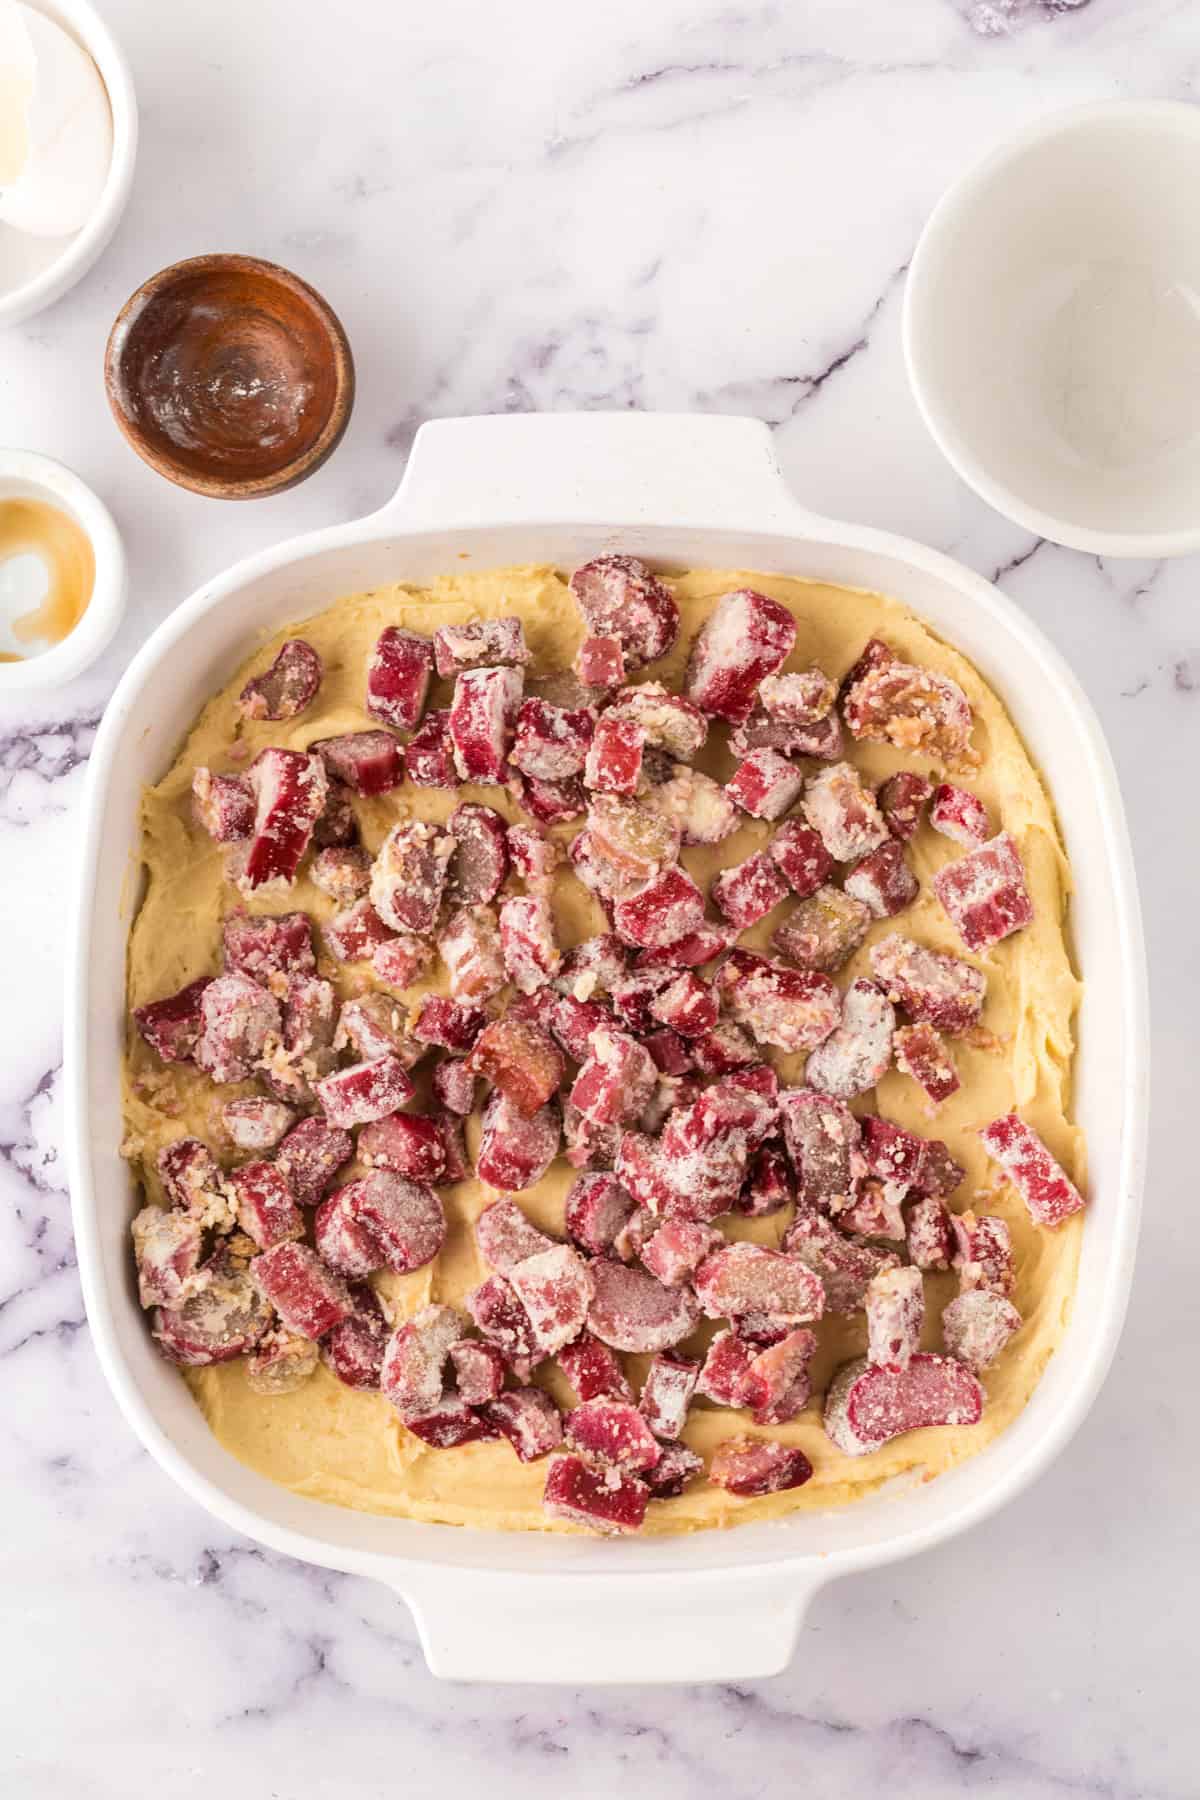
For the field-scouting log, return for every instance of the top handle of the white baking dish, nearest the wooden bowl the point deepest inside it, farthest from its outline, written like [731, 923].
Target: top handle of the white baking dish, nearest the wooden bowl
[656, 469]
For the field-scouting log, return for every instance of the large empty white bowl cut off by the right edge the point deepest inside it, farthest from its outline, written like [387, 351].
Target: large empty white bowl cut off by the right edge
[1053, 328]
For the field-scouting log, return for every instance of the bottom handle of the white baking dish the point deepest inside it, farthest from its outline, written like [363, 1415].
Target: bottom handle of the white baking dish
[740, 1624]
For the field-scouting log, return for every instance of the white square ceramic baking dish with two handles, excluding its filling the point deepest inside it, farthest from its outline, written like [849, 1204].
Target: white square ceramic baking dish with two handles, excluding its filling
[523, 1606]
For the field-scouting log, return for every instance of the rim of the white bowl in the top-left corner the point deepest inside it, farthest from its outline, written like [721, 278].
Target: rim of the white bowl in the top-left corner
[82, 251]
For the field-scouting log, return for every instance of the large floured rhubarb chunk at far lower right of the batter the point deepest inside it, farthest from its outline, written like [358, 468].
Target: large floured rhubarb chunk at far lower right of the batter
[870, 1405]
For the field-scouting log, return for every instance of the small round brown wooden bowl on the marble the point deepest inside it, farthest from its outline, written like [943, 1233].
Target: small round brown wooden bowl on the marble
[229, 377]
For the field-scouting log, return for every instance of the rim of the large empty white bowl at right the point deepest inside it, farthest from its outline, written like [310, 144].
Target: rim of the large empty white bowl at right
[947, 217]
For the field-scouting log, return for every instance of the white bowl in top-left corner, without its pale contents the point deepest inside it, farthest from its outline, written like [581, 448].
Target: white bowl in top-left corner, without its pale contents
[39, 271]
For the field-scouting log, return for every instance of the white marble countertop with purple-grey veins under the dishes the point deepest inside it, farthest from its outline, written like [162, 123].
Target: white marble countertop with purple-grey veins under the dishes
[569, 208]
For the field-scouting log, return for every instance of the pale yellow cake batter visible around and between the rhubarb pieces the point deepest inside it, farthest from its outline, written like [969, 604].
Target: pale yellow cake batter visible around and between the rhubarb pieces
[330, 1443]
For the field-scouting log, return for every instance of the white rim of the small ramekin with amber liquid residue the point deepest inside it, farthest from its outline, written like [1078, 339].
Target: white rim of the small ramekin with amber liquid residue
[39, 478]
